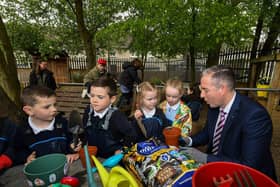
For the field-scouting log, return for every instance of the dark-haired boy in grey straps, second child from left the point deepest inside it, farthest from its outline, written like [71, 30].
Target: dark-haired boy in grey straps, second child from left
[105, 126]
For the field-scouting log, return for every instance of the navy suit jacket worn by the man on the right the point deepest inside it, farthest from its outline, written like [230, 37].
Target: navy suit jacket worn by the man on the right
[246, 136]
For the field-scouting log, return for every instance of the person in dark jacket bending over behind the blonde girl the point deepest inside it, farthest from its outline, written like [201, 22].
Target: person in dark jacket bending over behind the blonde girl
[127, 79]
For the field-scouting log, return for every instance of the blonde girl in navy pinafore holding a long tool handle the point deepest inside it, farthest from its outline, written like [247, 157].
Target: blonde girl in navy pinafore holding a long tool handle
[147, 114]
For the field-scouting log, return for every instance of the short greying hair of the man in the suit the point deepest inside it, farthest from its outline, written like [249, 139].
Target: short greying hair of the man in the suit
[221, 73]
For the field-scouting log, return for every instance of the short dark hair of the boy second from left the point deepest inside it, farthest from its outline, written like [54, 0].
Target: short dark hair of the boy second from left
[108, 82]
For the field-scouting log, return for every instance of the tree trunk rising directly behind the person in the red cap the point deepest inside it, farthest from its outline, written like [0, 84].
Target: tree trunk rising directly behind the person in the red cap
[87, 37]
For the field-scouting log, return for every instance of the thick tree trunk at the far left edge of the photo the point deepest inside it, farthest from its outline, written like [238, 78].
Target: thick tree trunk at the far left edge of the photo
[9, 82]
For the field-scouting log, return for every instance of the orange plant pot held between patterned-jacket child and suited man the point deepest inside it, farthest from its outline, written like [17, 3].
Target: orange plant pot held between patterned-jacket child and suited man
[171, 135]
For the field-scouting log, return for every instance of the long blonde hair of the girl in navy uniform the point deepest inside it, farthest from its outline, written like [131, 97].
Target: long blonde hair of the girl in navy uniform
[142, 88]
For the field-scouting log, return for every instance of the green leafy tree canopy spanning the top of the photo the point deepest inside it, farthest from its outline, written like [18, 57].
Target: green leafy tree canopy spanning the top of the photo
[161, 27]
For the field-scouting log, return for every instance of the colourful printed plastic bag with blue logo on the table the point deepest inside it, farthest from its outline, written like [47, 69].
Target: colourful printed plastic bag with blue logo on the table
[156, 164]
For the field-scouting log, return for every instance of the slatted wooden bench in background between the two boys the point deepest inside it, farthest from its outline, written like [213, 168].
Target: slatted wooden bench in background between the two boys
[69, 98]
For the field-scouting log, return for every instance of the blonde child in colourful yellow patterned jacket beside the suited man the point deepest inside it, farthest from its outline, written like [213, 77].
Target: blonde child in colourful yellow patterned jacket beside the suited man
[178, 113]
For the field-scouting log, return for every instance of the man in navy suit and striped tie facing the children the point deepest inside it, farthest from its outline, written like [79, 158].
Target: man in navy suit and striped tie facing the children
[237, 128]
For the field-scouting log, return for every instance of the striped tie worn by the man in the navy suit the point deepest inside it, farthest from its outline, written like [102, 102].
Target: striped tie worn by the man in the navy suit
[218, 132]
